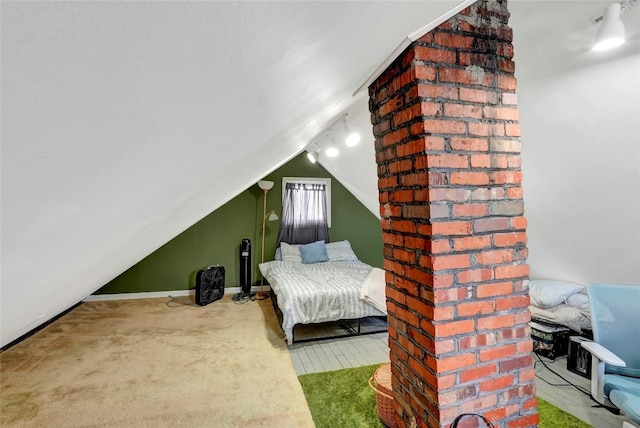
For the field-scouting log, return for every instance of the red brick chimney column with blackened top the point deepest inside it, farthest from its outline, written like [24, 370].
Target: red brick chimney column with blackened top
[446, 126]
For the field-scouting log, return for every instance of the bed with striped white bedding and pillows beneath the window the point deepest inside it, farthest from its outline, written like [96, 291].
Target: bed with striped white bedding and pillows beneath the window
[318, 283]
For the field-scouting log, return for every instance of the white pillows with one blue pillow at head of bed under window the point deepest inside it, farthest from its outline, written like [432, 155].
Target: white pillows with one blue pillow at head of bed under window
[316, 252]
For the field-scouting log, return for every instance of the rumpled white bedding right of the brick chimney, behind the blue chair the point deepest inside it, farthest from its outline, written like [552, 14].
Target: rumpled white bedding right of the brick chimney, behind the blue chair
[562, 303]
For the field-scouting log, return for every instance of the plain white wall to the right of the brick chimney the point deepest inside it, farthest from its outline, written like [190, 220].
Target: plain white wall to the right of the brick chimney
[580, 113]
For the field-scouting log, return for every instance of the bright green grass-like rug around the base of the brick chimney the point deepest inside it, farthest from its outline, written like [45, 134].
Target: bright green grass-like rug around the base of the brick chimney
[343, 399]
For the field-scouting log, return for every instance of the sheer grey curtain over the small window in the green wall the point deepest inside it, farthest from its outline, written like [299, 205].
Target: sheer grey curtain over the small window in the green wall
[304, 214]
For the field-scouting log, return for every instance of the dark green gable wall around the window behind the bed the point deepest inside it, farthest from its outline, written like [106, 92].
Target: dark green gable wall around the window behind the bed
[216, 238]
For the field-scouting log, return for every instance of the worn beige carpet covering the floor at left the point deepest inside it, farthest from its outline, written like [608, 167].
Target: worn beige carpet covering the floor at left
[140, 363]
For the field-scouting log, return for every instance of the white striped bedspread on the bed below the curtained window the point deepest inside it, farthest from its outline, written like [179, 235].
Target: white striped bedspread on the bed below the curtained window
[318, 292]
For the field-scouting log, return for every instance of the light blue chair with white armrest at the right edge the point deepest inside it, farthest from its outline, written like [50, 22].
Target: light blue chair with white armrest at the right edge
[615, 368]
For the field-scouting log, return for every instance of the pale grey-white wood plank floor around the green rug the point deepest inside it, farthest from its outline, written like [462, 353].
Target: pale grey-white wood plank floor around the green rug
[335, 354]
